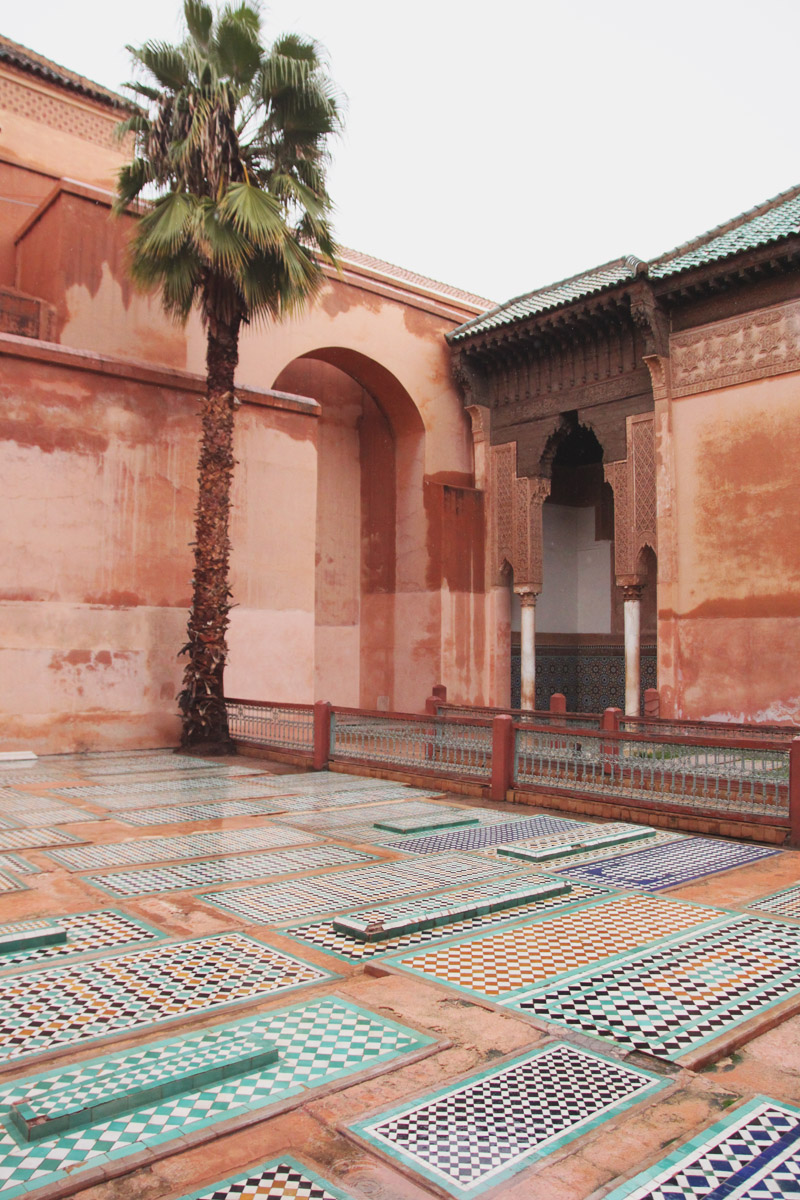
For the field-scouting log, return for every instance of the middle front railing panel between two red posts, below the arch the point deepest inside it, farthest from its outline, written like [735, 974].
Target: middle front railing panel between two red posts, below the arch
[428, 745]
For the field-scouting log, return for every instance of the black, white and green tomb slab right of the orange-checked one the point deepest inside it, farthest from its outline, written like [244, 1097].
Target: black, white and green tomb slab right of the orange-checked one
[673, 999]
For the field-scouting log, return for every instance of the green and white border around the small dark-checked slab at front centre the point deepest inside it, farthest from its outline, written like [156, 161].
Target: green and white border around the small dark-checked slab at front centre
[653, 1083]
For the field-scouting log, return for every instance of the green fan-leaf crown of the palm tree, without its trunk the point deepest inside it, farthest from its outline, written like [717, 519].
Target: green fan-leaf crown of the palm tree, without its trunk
[231, 154]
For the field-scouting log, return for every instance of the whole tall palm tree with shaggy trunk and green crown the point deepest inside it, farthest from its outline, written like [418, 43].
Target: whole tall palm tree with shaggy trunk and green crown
[231, 148]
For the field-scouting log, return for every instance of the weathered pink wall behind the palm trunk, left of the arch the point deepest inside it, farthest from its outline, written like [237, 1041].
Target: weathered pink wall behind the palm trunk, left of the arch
[99, 465]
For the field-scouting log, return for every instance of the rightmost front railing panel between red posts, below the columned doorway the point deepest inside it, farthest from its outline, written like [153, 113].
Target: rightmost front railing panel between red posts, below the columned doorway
[702, 775]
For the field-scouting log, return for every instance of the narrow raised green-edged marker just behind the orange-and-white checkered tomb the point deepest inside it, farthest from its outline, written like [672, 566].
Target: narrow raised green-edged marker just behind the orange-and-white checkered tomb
[412, 916]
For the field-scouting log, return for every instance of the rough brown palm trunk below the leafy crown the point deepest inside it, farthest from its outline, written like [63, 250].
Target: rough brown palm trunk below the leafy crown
[202, 701]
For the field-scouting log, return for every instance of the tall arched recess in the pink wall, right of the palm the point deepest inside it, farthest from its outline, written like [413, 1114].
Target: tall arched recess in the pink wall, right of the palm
[372, 531]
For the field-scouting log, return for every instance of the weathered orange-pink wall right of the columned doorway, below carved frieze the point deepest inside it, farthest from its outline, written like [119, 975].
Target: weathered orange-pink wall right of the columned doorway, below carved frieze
[730, 561]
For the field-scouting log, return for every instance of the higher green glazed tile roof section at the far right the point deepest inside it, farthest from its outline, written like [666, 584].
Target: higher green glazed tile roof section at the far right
[779, 218]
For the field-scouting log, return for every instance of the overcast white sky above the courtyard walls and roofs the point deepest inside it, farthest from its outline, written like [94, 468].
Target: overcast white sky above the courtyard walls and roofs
[502, 146]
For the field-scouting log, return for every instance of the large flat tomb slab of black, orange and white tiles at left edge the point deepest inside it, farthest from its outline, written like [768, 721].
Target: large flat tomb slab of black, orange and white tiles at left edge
[47, 1010]
